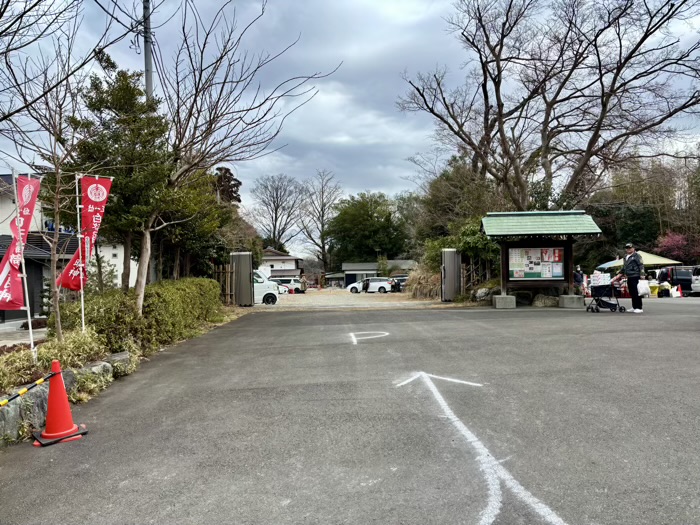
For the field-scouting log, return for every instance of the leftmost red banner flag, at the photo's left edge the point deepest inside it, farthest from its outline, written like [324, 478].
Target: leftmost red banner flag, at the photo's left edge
[11, 286]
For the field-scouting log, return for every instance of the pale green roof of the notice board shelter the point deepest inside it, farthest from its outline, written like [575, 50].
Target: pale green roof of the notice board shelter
[524, 224]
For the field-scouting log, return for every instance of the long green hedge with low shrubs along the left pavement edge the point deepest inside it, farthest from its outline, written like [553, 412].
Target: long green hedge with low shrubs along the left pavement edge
[172, 311]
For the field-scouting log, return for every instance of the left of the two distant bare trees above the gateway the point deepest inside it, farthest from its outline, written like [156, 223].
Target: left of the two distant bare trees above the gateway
[278, 206]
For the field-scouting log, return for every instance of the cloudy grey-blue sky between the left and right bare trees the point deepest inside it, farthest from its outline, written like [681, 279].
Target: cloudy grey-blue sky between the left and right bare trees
[352, 127]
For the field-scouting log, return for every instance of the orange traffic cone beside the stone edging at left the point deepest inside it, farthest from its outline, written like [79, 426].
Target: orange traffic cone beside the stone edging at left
[59, 421]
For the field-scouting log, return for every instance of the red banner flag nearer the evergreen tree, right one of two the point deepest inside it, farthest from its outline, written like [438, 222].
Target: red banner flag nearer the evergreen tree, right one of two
[94, 198]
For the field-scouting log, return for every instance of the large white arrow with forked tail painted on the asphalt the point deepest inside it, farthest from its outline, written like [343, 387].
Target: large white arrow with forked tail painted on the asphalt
[493, 471]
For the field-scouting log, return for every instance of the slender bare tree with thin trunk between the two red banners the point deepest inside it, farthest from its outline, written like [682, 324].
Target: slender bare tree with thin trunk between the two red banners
[47, 136]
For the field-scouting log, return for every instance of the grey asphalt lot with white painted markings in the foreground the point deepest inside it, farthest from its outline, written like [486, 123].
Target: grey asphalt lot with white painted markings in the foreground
[527, 416]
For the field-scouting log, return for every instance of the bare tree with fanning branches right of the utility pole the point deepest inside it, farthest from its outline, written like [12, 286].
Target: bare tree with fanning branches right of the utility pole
[218, 109]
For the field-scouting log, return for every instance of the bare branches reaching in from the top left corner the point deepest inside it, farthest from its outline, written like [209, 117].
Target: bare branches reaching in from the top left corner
[26, 26]
